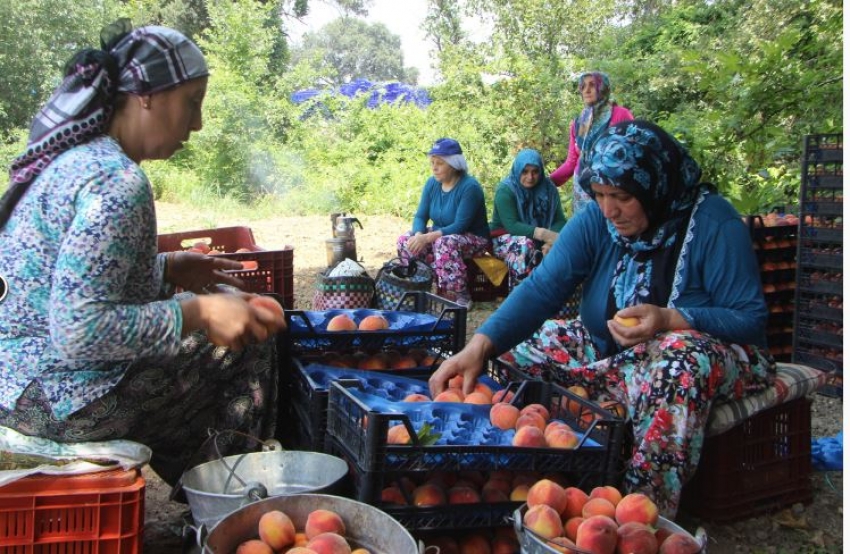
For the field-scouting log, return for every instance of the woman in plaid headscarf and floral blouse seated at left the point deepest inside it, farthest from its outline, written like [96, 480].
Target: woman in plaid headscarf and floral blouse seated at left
[94, 344]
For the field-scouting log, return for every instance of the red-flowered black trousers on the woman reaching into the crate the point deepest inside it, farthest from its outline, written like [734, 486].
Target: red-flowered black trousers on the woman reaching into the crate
[668, 385]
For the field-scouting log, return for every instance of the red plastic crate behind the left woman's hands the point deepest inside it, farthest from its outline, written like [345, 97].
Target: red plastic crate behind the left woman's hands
[274, 268]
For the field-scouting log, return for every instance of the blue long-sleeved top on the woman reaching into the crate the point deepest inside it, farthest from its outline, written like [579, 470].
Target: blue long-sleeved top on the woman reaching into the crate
[717, 286]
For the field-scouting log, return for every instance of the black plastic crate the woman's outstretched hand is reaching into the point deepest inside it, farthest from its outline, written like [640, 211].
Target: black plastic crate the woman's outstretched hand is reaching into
[361, 432]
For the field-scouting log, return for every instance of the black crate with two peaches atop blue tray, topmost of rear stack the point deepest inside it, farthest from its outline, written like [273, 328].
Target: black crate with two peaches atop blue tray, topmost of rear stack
[445, 336]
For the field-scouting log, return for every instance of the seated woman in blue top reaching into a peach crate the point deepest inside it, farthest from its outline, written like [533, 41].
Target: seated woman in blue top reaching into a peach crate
[672, 313]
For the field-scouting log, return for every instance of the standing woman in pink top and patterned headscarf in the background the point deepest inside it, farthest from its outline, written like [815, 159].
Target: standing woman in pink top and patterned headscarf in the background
[599, 113]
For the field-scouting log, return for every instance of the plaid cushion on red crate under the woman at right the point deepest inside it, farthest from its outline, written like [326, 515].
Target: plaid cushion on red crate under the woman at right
[792, 381]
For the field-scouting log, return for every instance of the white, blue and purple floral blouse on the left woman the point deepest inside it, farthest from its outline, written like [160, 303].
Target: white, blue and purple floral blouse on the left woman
[86, 294]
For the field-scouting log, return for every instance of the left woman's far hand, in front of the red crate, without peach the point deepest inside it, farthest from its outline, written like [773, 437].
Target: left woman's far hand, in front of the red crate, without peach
[200, 273]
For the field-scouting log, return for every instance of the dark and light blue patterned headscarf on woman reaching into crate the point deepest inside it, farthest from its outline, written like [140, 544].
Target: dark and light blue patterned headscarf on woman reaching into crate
[645, 161]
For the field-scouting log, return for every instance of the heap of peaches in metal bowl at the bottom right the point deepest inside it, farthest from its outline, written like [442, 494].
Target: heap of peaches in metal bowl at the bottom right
[602, 522]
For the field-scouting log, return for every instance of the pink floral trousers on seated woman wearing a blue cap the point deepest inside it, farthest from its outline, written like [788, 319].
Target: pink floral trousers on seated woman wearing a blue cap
[446, 256]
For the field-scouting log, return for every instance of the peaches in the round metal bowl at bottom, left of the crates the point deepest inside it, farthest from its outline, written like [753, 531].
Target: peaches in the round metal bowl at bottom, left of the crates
[323, 533]
